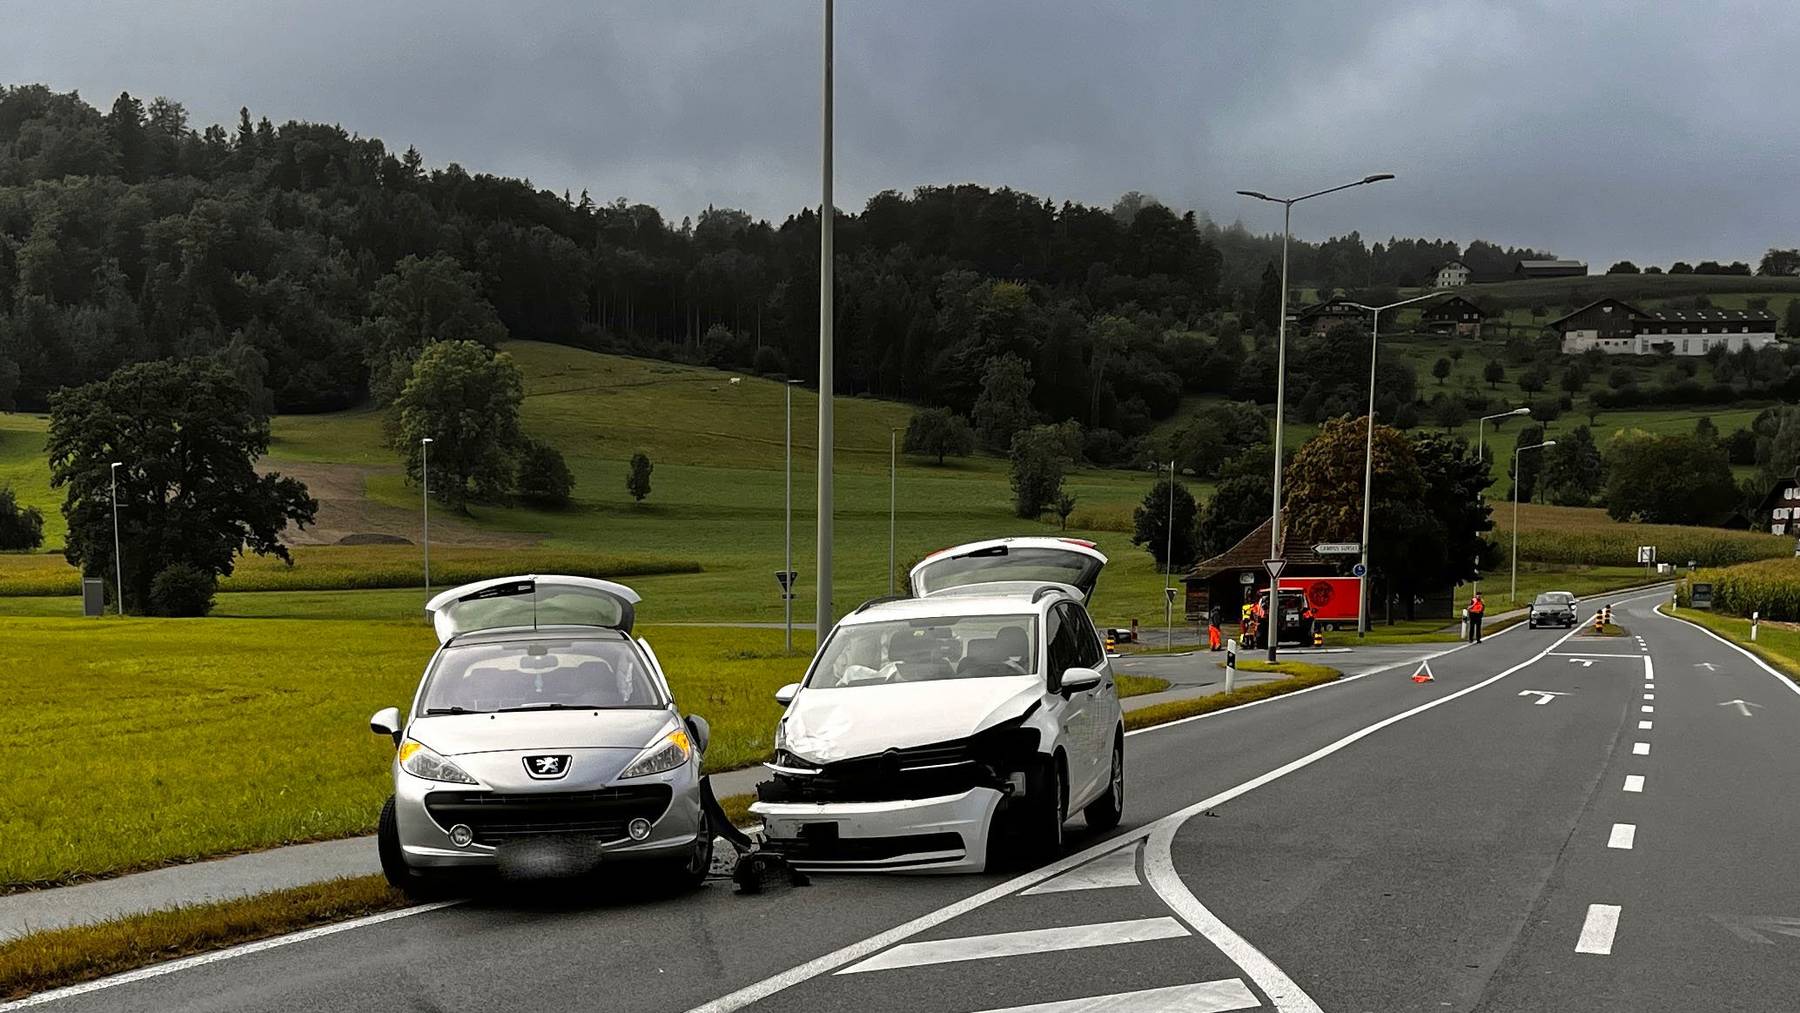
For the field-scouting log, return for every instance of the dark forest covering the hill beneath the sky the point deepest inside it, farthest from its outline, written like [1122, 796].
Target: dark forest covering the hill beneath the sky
[310, 260]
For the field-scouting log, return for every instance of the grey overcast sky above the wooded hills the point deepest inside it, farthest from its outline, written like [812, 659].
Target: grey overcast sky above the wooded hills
[1592, 129]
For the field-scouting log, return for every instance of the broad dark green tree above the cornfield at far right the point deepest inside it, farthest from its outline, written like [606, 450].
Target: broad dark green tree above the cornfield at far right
[1668, 480]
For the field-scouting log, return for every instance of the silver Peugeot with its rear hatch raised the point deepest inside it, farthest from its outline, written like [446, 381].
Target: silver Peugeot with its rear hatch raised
[543, 740]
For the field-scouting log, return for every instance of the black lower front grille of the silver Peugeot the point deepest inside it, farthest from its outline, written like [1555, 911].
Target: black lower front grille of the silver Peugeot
[501, 818]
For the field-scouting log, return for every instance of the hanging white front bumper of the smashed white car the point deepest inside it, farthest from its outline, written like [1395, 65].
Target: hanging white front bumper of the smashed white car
[948, 834]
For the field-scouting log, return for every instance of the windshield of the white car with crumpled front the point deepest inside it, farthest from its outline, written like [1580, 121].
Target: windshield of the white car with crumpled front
[924, 650]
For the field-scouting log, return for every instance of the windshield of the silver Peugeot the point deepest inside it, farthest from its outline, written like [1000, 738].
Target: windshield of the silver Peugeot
[539, 676]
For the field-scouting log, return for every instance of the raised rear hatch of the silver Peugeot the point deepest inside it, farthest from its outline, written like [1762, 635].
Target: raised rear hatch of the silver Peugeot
[532, 602]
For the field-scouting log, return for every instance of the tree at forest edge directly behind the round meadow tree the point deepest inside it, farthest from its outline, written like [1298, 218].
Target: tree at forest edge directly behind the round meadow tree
[422, 301]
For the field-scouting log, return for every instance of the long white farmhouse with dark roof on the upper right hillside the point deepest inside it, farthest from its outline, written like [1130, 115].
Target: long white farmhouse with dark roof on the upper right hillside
[1621, 328]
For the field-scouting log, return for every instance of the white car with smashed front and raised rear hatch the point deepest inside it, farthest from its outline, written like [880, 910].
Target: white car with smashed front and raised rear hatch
[942, 731]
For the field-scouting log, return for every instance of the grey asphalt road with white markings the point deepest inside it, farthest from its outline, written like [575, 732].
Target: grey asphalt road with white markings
[1554, 823]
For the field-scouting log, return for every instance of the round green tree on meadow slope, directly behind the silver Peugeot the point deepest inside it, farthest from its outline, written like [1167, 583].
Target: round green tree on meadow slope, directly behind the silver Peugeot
[465, 399]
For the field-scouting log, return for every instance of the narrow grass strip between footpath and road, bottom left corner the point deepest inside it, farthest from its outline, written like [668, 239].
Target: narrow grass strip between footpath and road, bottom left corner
[69, 956]
